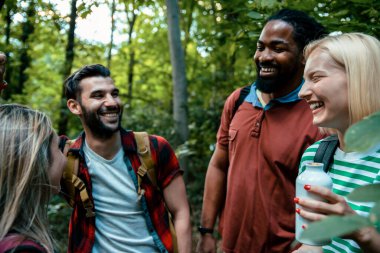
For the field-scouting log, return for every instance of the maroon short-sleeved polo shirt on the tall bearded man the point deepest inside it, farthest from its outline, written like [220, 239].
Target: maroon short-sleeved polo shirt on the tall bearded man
[265, 148]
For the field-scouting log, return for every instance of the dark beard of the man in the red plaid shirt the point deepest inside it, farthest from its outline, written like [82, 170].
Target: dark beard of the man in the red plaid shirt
[97, 127]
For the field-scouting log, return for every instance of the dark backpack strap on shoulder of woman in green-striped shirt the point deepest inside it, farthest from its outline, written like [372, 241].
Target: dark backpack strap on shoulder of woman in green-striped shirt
[326, 150]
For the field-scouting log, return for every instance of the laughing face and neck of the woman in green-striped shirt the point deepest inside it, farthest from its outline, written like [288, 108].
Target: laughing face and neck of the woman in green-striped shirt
[324, 80]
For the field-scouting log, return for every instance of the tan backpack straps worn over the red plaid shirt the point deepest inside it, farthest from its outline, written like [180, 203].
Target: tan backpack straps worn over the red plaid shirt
[147, 168]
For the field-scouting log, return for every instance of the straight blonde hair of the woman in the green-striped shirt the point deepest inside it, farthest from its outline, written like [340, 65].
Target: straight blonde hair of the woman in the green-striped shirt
[359, 55]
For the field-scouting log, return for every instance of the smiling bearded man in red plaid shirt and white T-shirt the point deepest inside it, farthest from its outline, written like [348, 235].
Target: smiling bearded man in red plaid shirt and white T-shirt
[125, 221]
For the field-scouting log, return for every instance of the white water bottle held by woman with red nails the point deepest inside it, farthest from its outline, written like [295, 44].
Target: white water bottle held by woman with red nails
[313, 175]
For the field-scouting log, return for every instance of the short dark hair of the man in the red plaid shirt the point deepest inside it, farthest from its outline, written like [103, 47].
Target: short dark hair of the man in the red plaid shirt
[72, 88]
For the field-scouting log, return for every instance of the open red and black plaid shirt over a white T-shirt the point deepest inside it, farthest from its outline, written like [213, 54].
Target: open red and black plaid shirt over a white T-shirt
[82, 229]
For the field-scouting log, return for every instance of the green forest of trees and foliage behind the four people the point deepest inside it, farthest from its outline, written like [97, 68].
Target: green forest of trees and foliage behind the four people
[175, 65]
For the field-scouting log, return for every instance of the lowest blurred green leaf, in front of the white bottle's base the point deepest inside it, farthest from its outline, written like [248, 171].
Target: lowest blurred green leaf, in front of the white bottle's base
[334, 226]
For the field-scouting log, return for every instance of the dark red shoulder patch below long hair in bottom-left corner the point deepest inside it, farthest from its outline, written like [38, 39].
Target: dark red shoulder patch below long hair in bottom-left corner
[18, 244]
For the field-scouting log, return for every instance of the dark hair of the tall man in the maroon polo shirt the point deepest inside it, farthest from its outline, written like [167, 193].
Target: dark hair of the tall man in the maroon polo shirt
[305, 28]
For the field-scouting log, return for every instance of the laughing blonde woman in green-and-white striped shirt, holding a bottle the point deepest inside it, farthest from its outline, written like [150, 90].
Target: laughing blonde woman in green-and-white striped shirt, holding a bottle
[342, 86]
